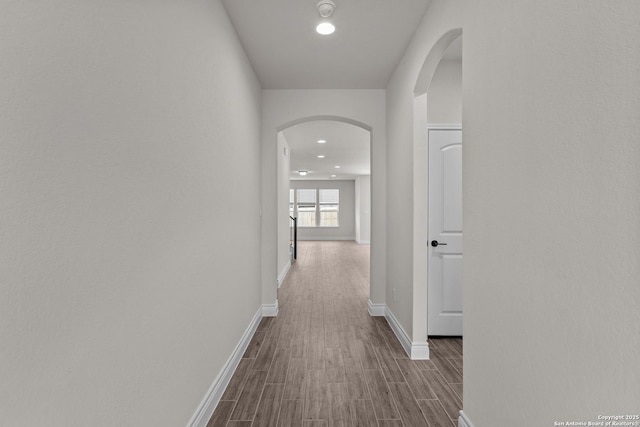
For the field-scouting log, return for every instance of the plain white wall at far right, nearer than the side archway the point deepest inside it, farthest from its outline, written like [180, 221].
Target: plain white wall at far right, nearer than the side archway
[551, 211]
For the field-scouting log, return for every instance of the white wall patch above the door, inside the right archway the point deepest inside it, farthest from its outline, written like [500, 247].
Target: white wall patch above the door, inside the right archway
[444, 97]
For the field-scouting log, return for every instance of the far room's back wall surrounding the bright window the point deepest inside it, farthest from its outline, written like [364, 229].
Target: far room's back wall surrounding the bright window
[346, 215]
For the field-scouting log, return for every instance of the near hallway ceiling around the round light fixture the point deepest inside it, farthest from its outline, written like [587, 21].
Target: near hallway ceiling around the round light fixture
[286, 53]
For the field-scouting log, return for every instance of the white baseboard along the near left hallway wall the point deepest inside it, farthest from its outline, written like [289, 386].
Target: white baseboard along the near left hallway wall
[208, 404]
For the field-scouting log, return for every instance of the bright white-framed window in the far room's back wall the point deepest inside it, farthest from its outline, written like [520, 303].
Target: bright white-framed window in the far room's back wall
[315, 207]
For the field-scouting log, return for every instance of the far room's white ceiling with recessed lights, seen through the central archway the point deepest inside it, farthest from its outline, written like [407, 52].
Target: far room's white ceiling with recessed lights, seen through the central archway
[347, 146]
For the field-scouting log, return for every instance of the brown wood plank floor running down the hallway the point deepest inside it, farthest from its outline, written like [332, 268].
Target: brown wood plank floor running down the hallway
[325, 362]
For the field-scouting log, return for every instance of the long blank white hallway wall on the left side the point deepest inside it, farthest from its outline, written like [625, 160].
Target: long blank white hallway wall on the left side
[122, 246]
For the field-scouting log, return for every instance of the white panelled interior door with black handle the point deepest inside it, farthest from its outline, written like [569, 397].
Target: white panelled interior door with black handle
[445, 233]
